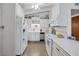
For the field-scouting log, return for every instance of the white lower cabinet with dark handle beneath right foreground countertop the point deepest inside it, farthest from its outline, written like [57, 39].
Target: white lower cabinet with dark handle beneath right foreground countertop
[58, 51]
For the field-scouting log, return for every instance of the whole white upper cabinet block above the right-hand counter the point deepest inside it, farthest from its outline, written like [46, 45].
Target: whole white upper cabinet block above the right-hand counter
[58, 15]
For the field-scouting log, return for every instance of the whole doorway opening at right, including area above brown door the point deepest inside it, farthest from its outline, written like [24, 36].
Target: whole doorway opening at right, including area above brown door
[75, 23]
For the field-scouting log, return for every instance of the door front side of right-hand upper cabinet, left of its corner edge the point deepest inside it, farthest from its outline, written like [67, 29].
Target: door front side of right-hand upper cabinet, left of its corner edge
[54, 13]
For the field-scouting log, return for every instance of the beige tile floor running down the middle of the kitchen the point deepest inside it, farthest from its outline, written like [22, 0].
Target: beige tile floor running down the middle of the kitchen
[35, 49]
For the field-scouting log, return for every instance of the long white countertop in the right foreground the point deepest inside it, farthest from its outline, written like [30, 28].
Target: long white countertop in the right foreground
[70, 46]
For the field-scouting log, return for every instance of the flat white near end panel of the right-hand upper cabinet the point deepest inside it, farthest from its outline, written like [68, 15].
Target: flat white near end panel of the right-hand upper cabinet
[62, 19]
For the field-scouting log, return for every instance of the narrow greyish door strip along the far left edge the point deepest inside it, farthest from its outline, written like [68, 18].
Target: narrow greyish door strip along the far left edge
[1, 29]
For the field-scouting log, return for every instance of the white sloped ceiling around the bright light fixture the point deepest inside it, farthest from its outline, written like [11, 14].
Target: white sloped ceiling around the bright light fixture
[27, 7]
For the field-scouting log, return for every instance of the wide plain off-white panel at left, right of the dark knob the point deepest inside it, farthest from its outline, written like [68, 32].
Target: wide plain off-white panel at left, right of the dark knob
[9, 30]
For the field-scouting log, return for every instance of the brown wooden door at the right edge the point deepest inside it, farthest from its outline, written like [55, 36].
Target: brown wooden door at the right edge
[75, 27]
